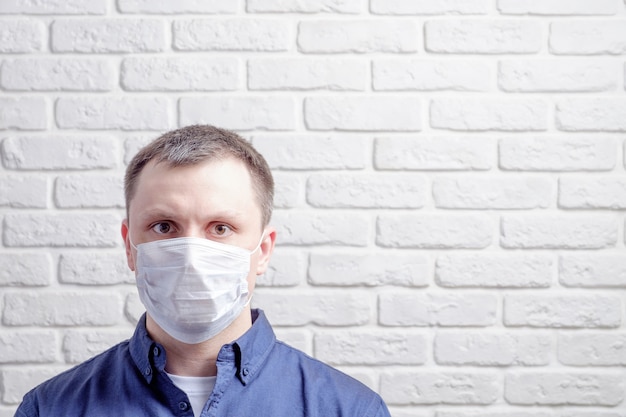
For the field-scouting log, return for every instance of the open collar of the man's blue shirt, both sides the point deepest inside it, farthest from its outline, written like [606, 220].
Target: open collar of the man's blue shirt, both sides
[248, 352]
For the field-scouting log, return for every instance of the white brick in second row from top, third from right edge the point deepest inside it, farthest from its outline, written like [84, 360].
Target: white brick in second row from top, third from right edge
[358, 36]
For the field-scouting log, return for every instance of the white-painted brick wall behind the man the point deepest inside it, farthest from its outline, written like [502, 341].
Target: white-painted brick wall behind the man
[450, 185]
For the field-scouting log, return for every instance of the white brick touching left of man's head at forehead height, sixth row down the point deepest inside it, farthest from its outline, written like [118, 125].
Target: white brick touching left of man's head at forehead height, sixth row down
[93, 191]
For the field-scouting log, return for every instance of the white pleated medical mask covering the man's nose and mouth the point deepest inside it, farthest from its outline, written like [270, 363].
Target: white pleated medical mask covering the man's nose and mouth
[193, 288]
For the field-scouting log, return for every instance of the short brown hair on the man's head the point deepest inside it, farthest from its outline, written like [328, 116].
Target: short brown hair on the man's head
[198, 143]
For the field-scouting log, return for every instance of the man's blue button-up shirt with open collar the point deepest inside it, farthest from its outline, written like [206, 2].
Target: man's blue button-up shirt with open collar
[257, 376]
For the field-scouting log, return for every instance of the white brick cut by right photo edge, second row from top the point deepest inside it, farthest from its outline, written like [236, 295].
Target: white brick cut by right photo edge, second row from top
[588, 37]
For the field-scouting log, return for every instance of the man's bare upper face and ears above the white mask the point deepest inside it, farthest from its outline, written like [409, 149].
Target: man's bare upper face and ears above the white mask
[213, 200]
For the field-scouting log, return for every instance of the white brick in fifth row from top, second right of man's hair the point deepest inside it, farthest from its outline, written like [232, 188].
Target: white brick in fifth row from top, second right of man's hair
[433, 153]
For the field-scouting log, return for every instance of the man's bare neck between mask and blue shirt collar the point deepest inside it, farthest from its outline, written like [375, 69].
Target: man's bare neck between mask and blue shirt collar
[198, 359]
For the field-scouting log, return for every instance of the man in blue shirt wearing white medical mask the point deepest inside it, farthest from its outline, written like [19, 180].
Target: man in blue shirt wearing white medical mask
[199, 201]
